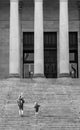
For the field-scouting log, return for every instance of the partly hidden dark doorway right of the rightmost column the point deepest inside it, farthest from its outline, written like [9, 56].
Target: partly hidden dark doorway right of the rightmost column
[73, 53]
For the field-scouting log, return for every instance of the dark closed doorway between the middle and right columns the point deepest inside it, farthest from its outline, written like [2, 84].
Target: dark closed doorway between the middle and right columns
[50, 54]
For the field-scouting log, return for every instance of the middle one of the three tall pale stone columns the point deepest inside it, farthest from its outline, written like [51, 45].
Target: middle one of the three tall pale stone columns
[38, 39]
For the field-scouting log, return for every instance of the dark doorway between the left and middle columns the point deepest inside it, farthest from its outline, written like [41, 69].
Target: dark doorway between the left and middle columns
[28, 54]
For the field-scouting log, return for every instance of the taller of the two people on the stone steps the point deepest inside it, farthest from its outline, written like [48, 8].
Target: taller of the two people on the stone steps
[20, 102]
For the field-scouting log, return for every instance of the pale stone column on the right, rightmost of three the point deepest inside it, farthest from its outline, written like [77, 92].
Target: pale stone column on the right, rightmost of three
[63, 40]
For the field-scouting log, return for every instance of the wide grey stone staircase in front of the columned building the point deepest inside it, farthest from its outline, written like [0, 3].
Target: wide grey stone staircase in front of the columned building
[59, 101]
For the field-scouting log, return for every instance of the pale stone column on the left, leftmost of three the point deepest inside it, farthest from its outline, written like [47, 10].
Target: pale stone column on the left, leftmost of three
[14, 58]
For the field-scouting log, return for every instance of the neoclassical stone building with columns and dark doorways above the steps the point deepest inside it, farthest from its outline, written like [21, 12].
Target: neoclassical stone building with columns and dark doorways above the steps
[39, 36]
